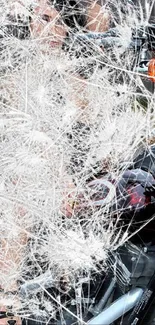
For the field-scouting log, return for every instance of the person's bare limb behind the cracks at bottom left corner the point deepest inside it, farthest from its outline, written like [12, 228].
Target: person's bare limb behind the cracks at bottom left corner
[11, 256]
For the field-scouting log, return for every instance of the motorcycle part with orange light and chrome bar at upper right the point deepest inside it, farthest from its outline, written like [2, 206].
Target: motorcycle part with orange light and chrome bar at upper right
[141, 44]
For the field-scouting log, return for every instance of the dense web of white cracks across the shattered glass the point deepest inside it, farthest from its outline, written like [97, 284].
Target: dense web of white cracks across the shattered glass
[46, 140]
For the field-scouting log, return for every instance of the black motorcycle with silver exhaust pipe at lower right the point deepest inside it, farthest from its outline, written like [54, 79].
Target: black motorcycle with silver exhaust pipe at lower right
[125, 293]
